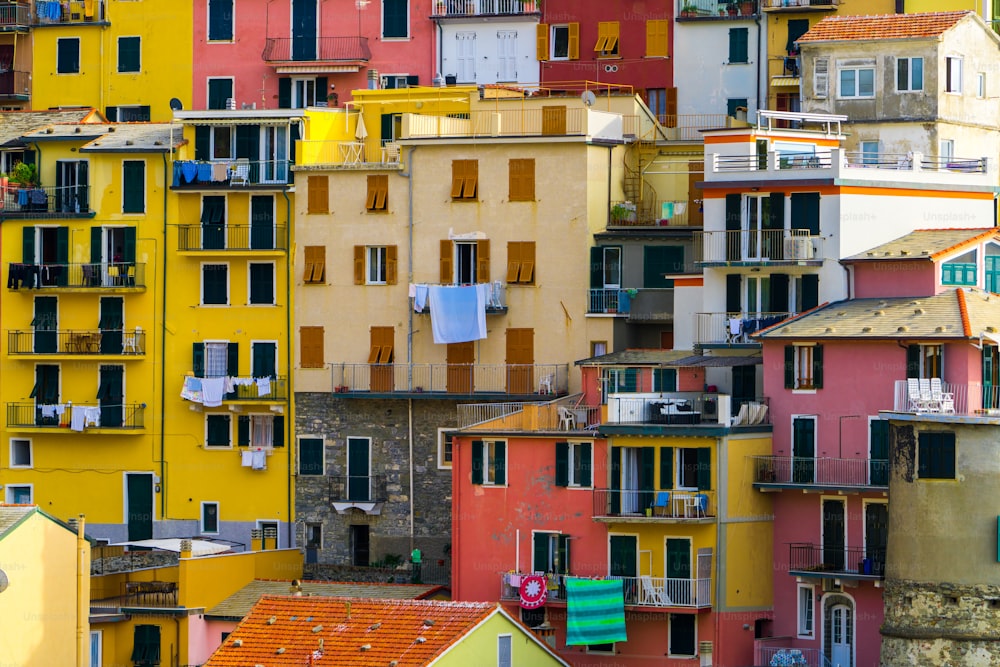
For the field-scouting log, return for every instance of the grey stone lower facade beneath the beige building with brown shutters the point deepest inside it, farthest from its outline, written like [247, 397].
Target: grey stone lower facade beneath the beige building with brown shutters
[386, 423]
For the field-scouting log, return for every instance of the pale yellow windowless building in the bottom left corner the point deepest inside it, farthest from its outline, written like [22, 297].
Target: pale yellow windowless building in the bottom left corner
[44, 590]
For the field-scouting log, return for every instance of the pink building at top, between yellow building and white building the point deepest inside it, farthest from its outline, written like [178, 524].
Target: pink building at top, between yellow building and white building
[298, 53]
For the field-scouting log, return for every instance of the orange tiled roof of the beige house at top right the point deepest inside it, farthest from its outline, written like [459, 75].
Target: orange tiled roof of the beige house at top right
[889, 26]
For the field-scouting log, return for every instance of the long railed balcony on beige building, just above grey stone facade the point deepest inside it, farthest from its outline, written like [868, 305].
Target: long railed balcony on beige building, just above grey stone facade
[449, 380]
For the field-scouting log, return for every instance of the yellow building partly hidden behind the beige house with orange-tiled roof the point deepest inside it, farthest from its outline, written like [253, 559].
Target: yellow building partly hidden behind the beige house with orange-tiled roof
[787, 21]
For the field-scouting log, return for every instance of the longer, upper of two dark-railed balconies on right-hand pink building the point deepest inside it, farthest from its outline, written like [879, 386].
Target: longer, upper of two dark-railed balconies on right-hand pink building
[773, 473]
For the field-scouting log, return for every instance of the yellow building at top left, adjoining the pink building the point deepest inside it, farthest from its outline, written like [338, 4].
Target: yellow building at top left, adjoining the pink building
[129, 59]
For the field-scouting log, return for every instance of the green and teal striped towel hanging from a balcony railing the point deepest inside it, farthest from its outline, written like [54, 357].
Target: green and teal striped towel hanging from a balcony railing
[595, 611]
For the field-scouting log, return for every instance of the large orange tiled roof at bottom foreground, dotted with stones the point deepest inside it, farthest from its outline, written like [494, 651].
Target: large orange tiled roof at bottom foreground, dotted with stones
[287, 630]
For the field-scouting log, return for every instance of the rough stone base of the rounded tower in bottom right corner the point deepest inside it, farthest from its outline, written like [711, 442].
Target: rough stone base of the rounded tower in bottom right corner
[928, 625]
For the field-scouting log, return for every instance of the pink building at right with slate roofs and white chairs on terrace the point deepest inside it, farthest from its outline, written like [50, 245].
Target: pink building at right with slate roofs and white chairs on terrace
[919, 320]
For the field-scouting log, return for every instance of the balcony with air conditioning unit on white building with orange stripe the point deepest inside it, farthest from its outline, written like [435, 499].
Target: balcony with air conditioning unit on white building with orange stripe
[764, 247]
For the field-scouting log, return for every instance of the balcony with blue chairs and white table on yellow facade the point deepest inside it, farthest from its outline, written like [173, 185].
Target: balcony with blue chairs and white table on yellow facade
[654, 506]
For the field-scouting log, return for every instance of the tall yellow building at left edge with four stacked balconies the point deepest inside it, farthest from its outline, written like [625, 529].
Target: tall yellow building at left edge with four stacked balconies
[81, 389]
